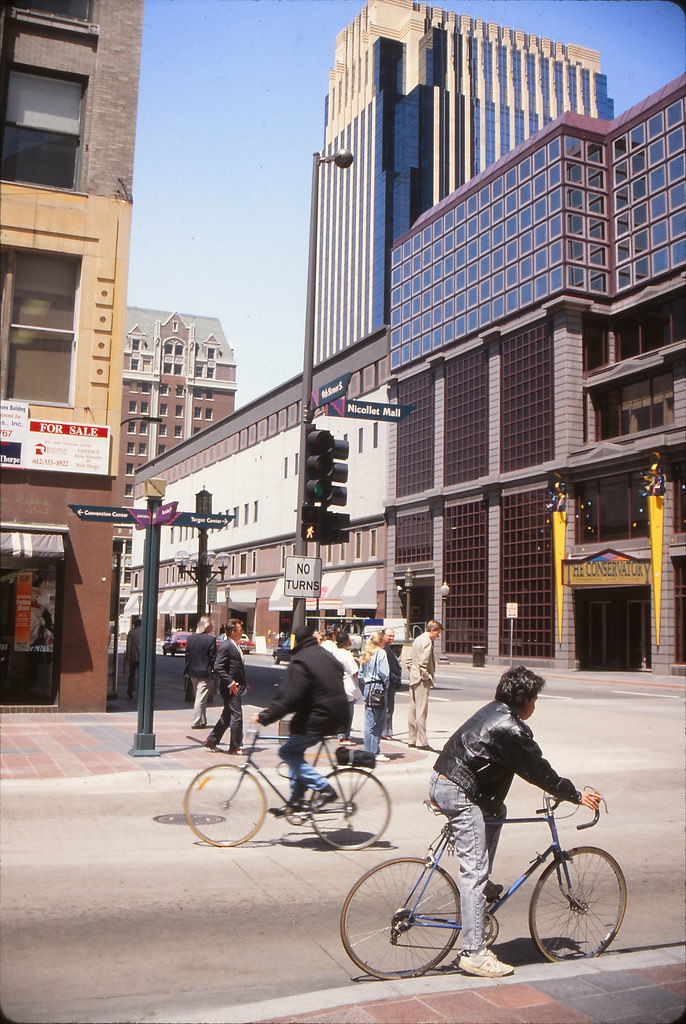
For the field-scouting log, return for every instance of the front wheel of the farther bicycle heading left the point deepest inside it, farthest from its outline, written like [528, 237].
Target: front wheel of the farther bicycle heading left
[225, 805]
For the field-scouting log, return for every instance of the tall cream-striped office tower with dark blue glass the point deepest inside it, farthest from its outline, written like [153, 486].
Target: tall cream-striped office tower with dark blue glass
[425, 99]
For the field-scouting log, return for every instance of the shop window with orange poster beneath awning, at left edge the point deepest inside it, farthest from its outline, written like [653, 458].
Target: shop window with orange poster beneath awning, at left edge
[31, 587]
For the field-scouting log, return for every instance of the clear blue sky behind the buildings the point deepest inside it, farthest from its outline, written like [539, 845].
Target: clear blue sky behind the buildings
[231, 111]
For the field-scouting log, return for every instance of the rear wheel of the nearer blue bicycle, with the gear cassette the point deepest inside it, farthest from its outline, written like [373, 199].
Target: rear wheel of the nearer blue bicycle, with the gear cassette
[401, 919]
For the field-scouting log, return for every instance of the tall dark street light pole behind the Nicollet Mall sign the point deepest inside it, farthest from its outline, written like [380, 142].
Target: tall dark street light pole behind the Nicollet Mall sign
[342, 159]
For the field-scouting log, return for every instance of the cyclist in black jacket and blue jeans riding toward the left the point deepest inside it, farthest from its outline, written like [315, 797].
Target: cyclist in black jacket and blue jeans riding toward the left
[313, 690]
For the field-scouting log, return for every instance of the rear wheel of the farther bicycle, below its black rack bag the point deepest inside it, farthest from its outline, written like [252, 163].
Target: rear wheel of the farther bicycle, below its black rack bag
[359, 817]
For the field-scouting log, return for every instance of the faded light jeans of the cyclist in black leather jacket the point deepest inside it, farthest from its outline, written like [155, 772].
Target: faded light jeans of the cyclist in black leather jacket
[476, 844]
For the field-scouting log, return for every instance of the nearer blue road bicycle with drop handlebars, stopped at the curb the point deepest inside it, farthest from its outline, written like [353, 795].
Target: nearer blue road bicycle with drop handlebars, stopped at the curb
[403, 918]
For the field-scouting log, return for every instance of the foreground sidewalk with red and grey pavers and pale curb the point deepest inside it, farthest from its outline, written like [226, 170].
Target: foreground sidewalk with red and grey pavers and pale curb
[645, 988]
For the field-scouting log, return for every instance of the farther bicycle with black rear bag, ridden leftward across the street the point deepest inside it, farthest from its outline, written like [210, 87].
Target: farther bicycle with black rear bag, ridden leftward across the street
[226, 804]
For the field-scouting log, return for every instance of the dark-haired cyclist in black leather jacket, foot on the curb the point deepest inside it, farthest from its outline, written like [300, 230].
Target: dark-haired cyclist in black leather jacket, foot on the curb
[470, 779]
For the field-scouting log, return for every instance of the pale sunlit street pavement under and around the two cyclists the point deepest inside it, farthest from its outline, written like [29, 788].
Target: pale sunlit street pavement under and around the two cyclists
[113, 911]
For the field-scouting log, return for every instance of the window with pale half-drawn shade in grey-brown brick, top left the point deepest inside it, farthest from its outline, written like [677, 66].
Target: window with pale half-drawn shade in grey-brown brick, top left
[42, 129]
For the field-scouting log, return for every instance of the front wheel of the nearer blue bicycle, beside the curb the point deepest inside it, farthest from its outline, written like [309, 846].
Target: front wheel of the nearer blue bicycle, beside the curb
[582, 921]
